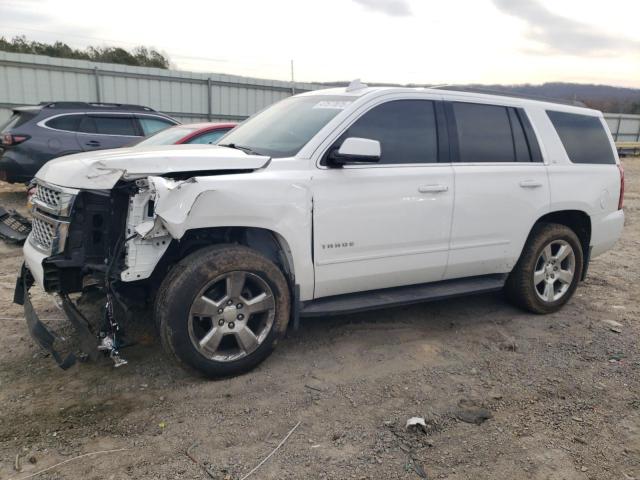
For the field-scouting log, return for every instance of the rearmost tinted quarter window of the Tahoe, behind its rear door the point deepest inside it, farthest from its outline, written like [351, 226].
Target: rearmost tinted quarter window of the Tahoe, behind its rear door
[583, 137]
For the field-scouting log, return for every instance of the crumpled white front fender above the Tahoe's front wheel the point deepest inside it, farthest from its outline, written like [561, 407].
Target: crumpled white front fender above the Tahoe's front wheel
[278, 200]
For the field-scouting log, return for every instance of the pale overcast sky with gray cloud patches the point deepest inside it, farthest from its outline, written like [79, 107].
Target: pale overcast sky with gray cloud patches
[401, 41]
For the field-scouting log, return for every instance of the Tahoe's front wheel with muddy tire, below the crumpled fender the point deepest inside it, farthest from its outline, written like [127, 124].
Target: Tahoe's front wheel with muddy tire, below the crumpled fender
[222, 309]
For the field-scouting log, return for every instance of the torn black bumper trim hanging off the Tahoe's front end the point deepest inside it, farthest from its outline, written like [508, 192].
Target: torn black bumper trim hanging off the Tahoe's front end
[41, 334]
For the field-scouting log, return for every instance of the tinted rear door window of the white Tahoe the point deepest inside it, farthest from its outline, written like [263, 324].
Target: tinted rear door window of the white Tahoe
[493, 133]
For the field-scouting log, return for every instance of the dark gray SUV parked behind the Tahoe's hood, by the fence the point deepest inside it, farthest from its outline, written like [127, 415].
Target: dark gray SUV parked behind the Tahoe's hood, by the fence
[36, 134]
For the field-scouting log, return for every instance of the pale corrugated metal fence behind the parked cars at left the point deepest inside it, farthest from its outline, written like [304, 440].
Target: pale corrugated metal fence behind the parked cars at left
[186, 96]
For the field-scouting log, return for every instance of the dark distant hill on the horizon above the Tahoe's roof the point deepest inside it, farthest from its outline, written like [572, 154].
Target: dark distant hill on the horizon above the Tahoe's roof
[601, 97]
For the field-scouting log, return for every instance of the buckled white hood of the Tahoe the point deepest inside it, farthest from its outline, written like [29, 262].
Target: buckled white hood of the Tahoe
[101, 169]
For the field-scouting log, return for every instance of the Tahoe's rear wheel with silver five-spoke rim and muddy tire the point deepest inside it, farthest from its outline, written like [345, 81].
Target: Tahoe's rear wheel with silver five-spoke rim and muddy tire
[548, 271]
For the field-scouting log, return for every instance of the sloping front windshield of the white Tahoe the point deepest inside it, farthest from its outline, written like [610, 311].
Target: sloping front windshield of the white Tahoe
[284, 128]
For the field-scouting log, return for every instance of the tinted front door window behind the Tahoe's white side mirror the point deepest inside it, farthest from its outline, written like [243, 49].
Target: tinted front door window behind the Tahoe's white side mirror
[406, 130]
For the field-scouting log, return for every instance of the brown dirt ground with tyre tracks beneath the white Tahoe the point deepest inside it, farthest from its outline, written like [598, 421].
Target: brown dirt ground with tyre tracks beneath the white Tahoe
[563, 392]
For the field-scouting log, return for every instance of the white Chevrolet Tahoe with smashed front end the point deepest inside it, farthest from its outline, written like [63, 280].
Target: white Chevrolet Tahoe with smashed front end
[327, 202]
